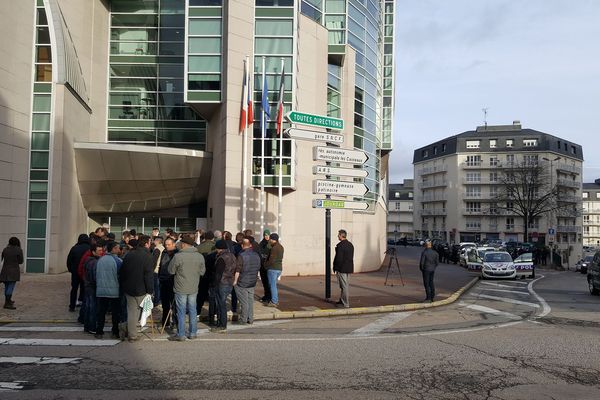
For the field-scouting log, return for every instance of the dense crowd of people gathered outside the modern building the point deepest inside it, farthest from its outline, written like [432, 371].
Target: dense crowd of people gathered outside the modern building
[179, 272]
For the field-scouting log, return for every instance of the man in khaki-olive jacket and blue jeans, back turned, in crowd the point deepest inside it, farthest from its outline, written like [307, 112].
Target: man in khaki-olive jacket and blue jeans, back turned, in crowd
[187, 266]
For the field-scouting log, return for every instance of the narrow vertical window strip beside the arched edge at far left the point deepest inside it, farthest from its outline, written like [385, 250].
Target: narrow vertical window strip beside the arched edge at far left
[39, 155]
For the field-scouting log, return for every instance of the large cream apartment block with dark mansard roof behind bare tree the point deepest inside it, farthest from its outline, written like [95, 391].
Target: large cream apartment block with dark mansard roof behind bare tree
[459, 182]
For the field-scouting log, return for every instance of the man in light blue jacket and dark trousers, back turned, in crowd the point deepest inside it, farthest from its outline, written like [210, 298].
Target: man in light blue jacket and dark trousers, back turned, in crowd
[107, 289]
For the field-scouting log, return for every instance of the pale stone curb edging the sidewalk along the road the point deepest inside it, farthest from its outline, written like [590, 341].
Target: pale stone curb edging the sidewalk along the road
[317, 313]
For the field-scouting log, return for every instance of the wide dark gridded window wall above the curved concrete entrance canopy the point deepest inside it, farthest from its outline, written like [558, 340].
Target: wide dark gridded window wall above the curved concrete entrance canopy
[146, 93]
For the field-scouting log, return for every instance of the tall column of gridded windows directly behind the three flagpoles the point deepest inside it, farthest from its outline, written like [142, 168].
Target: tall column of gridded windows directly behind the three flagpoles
[274, 39]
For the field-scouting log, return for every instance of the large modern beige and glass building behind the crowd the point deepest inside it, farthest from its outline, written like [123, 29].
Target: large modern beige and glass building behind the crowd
[126, 113]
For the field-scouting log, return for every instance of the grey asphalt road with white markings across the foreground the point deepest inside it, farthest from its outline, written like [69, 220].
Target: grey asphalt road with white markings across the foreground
[501, 340]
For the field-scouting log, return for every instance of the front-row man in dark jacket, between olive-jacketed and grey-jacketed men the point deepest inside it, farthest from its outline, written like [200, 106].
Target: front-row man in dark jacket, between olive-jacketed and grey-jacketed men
[224, 277]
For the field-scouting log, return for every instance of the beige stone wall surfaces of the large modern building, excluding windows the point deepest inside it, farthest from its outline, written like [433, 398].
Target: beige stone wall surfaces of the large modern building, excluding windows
[93, 179]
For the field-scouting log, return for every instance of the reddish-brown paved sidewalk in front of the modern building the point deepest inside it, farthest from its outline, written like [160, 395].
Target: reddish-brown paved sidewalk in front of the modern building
[44, 298]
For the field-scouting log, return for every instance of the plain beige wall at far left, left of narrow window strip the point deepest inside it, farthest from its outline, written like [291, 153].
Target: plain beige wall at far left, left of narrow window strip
[16, 72]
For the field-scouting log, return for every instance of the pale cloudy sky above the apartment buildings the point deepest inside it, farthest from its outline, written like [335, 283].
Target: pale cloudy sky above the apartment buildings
[537, 61]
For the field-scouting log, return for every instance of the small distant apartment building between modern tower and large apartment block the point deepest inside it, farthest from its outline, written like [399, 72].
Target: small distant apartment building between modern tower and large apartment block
[400, 210]
